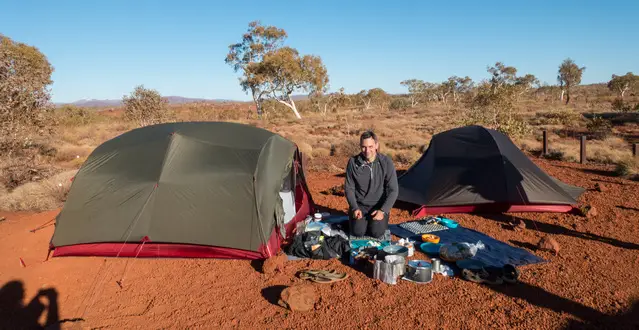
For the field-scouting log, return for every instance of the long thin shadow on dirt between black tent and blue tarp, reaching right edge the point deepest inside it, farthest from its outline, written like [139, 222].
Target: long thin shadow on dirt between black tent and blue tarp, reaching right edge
[557, 230]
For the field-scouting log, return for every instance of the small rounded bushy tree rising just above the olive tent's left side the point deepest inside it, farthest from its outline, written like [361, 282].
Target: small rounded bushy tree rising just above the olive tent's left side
[145, 106]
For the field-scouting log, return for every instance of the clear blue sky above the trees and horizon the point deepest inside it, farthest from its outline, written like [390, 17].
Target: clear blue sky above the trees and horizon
[103, 49]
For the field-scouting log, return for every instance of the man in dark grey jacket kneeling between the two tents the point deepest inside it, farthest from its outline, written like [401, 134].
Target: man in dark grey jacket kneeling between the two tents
[371, 188]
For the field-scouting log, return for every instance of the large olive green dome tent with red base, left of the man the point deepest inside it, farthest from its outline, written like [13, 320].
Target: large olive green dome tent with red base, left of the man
[189, 189]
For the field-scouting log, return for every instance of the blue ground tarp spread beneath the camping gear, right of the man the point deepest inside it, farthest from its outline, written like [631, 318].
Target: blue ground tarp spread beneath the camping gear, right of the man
[496, 253]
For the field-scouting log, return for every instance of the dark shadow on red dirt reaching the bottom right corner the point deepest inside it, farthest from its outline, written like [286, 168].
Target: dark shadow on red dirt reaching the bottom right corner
[589, 317]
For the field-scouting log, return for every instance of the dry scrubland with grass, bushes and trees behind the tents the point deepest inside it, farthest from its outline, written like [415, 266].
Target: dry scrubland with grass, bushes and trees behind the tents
[42, 146]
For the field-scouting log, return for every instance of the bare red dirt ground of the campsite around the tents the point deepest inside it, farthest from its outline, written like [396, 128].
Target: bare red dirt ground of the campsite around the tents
[591, 283]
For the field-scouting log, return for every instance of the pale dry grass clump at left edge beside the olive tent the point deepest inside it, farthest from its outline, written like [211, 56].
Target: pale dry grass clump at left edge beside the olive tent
[39, 196]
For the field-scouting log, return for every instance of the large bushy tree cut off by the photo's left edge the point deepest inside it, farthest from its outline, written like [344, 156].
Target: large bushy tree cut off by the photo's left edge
[25, 74]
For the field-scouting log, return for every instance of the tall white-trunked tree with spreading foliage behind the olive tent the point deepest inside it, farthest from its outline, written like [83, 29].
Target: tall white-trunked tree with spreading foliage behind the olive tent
[273, 71]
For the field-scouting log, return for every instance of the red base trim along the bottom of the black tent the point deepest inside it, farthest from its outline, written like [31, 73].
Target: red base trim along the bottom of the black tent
[490, 208]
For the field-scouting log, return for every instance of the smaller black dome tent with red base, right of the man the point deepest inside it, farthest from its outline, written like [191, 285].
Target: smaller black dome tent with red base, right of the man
[476, 169]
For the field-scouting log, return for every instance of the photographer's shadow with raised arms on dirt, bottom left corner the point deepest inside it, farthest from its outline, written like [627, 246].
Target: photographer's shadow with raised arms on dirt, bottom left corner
[15, 315]
